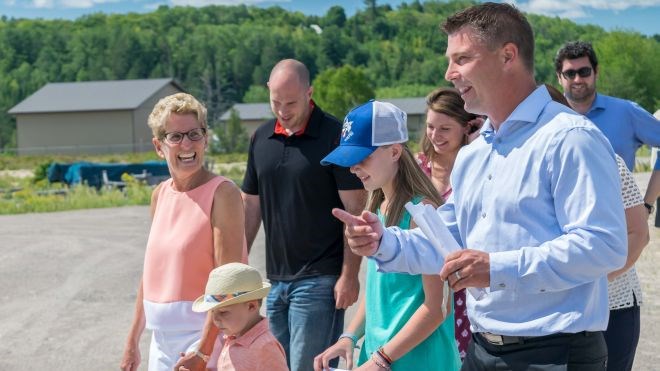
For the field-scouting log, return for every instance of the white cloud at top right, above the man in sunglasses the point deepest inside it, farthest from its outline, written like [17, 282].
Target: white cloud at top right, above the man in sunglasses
[579, 8]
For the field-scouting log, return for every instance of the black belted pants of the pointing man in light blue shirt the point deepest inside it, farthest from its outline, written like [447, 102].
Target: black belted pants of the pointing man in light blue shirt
[584, 351]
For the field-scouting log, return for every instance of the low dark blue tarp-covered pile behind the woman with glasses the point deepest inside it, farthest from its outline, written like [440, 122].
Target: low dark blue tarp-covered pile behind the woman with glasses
[91, 173]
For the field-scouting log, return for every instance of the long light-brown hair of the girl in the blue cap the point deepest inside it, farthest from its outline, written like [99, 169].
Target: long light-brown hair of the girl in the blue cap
[409, 181]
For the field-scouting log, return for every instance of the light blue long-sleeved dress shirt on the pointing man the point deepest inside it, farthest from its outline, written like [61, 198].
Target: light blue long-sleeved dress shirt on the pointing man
[542, 195]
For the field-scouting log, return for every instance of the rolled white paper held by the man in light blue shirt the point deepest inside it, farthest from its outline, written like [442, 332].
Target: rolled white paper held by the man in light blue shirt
[428, 220]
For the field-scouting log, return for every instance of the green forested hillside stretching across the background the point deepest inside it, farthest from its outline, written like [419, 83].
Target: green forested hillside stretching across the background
[220, 53]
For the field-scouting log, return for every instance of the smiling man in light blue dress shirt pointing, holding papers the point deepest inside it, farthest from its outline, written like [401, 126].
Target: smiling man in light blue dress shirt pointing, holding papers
[536, 204]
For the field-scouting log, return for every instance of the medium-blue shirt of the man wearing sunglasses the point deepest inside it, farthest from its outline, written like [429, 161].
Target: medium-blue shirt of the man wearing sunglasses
[625, 124]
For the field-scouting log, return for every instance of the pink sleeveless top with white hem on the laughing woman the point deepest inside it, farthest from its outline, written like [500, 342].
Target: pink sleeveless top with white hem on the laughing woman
[179, 254]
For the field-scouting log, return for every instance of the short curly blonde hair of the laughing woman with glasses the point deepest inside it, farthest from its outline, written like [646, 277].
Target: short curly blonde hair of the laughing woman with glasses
[181, 103]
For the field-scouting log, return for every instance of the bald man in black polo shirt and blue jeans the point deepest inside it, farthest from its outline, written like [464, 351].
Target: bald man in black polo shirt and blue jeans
[313, 275]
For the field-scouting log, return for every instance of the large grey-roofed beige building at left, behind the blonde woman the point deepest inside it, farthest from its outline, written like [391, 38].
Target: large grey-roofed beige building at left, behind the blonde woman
[92, 117]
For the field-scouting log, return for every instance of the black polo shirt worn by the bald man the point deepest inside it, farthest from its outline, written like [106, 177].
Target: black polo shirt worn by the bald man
[296, 195]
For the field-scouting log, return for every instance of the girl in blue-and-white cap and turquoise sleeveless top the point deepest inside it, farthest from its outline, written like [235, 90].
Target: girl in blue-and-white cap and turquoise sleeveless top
[406, 320]
